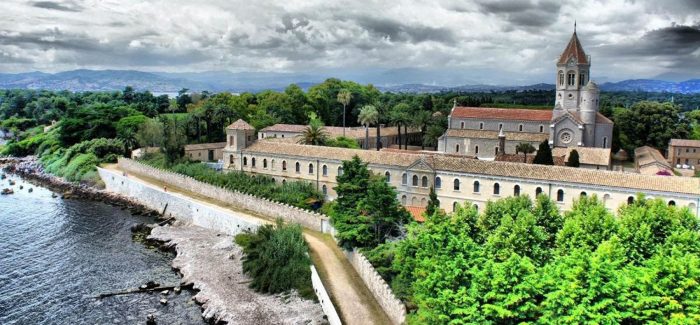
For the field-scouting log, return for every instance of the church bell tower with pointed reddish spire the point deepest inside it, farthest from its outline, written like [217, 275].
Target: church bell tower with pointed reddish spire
[573, 73]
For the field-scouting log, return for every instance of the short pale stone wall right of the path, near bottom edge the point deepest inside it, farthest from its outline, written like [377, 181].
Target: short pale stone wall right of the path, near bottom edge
[381, 291]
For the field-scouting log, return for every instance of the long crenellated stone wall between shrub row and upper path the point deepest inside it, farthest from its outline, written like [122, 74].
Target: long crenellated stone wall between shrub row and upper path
[262, 206]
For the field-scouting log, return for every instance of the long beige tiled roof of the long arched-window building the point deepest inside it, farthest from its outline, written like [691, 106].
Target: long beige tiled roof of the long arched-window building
[686, 185]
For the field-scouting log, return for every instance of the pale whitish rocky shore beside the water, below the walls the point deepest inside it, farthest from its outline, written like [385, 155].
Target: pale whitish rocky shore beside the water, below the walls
[211, 262]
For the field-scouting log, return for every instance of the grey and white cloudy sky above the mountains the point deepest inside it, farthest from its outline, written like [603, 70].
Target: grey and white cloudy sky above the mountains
[490, 41]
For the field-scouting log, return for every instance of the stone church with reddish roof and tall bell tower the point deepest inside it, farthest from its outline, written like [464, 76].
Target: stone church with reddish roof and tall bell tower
[574, 121]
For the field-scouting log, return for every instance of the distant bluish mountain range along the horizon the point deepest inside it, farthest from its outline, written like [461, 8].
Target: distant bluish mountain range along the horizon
[397, 80]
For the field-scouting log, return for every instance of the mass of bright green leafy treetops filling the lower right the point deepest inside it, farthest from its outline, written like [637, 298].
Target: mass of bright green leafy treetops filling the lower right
[524, 262]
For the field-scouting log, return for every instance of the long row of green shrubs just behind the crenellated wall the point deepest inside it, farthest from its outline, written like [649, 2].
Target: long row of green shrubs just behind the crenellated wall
[299, 194]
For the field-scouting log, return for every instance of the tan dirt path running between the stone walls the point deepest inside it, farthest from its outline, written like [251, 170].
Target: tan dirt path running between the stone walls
[352, 299]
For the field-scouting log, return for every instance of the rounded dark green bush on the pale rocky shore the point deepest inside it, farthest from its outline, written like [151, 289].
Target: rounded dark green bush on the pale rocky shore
[277, 258]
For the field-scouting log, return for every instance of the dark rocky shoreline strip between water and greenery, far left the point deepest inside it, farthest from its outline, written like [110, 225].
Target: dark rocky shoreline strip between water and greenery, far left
[31, 170]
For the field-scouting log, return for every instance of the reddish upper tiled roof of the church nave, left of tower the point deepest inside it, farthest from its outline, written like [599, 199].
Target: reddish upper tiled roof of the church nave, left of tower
[489, 113]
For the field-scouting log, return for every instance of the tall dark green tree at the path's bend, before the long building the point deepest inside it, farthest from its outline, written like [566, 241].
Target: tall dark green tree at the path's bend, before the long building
[366, 211]
